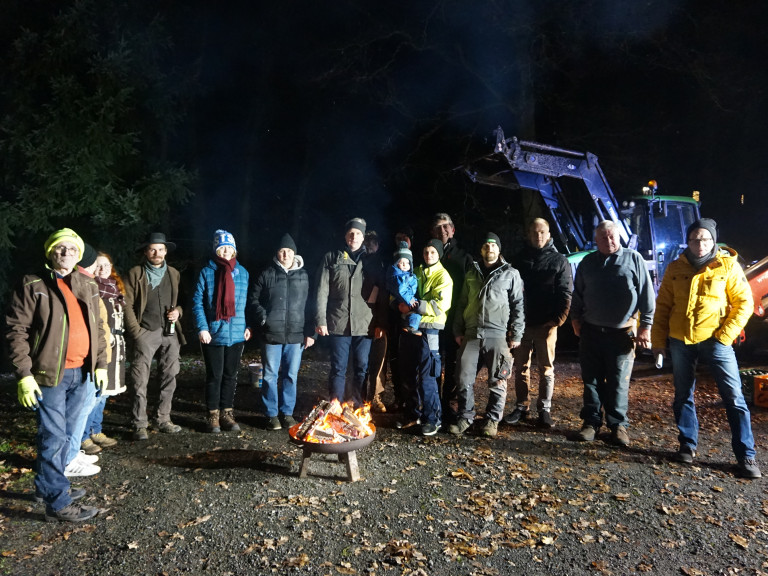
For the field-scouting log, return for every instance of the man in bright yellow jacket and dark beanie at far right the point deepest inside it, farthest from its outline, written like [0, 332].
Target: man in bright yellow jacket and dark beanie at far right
[703, 304]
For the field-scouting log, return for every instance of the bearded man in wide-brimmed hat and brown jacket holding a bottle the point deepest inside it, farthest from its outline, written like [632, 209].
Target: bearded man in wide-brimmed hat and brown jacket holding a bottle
[152, 317]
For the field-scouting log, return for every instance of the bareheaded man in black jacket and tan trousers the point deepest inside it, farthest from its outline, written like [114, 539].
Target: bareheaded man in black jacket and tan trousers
[548, 287]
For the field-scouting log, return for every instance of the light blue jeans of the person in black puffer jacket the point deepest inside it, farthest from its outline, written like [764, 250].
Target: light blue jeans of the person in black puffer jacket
[281, 370]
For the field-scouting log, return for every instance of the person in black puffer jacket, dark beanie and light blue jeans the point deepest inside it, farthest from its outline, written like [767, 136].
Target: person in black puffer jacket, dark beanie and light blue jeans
[277, 303]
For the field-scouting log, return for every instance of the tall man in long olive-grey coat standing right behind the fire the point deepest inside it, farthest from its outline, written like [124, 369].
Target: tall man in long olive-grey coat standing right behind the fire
[346, 301]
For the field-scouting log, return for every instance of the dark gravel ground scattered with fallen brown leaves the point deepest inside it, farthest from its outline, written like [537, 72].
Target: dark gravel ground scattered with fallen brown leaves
[530, 500]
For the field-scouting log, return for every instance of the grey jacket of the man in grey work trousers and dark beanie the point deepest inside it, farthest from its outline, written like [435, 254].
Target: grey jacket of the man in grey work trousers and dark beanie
[491, 306]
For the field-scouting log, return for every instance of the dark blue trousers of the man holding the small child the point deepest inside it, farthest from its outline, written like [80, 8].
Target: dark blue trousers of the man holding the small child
[419, 364]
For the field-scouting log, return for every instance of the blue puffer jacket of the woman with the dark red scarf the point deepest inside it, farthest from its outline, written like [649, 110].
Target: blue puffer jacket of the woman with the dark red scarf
[223, 332]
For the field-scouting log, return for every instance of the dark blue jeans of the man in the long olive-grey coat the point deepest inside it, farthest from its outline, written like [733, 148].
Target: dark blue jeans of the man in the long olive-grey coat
[342, 347]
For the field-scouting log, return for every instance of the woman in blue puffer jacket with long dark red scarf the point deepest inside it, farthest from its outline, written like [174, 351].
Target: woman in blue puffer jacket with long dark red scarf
[219, 309]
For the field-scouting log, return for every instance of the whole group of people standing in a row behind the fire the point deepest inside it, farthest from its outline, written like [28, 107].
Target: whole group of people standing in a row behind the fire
[439, 323]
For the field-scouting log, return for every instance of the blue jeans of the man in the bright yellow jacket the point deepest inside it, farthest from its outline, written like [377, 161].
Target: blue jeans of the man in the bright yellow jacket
[725, 370]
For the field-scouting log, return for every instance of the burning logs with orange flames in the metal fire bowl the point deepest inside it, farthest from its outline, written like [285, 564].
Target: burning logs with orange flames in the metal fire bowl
[332, 422]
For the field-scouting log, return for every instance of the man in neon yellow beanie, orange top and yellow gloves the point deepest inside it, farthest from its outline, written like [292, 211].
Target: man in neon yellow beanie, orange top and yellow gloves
[56, 341]
